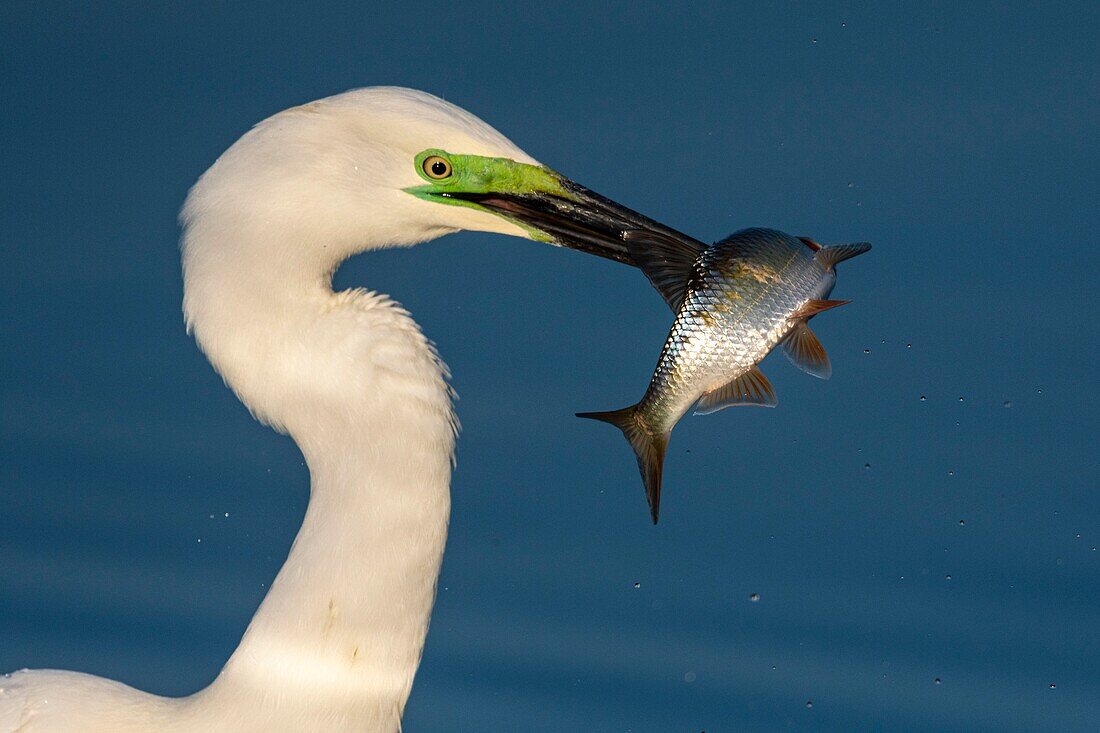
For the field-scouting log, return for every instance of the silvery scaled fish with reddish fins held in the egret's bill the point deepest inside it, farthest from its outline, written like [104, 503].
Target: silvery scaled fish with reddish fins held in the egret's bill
[734, 302]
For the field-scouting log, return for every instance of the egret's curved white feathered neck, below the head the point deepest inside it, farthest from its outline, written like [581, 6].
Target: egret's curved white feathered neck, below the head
[351, 378]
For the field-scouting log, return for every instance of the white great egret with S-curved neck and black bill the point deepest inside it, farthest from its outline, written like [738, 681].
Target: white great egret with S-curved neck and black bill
[336, 643]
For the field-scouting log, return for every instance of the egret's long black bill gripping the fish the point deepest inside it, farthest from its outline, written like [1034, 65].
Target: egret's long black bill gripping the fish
[577, 218]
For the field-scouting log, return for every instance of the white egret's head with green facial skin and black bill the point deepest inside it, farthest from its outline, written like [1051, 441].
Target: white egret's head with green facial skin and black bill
[387, 167]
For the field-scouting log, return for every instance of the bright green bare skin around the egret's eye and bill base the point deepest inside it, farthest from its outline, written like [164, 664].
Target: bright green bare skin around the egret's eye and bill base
[478, 174]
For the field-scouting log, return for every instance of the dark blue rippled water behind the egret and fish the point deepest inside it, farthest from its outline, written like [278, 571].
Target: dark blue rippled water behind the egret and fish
[962, 143]
